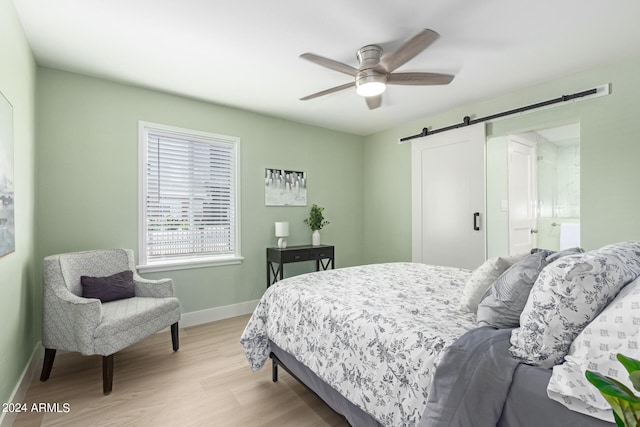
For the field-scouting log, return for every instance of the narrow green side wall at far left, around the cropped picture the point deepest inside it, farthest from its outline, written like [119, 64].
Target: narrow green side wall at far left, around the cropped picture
[19, 313]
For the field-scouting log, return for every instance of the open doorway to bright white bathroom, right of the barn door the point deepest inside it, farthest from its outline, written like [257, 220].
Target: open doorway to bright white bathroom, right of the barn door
[544, 189]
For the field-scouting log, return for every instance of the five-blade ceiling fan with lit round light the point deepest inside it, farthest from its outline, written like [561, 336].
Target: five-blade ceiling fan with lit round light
[376, 70]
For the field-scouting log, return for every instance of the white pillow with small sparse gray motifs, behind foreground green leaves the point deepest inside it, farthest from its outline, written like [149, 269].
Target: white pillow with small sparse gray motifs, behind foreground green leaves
[615, 330]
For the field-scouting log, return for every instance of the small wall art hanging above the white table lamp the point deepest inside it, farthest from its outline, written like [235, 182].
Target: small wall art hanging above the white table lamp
[285, 188]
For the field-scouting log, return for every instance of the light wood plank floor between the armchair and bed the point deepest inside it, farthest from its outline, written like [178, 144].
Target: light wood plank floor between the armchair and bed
[208, 382]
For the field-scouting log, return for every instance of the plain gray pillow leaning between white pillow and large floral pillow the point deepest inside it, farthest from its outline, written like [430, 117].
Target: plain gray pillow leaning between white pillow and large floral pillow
[504, 301]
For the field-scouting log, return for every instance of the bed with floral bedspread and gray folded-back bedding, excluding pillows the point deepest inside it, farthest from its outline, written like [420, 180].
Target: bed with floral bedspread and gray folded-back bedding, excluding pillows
[368, 340]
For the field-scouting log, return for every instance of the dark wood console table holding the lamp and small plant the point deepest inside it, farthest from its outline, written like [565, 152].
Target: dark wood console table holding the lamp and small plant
[323, 255]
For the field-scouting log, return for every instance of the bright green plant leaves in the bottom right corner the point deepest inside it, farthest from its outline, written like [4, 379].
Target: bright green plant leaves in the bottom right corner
[625, 404]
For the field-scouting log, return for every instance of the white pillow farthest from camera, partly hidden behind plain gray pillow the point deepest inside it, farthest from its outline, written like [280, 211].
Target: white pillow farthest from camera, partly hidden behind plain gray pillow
[482, 278]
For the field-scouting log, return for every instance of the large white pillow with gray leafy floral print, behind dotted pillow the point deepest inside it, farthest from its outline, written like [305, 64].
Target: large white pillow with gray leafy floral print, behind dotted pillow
[567, 295]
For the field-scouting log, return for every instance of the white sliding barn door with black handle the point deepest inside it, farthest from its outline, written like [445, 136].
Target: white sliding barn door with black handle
[448, 198]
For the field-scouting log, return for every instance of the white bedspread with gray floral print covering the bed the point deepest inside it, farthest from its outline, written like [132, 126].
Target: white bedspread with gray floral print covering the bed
[375, 333]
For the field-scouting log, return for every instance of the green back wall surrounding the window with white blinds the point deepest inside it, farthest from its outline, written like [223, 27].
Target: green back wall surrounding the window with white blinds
[88, 179]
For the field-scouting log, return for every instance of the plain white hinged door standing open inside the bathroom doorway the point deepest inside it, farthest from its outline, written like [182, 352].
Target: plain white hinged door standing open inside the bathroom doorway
[522, 195]
